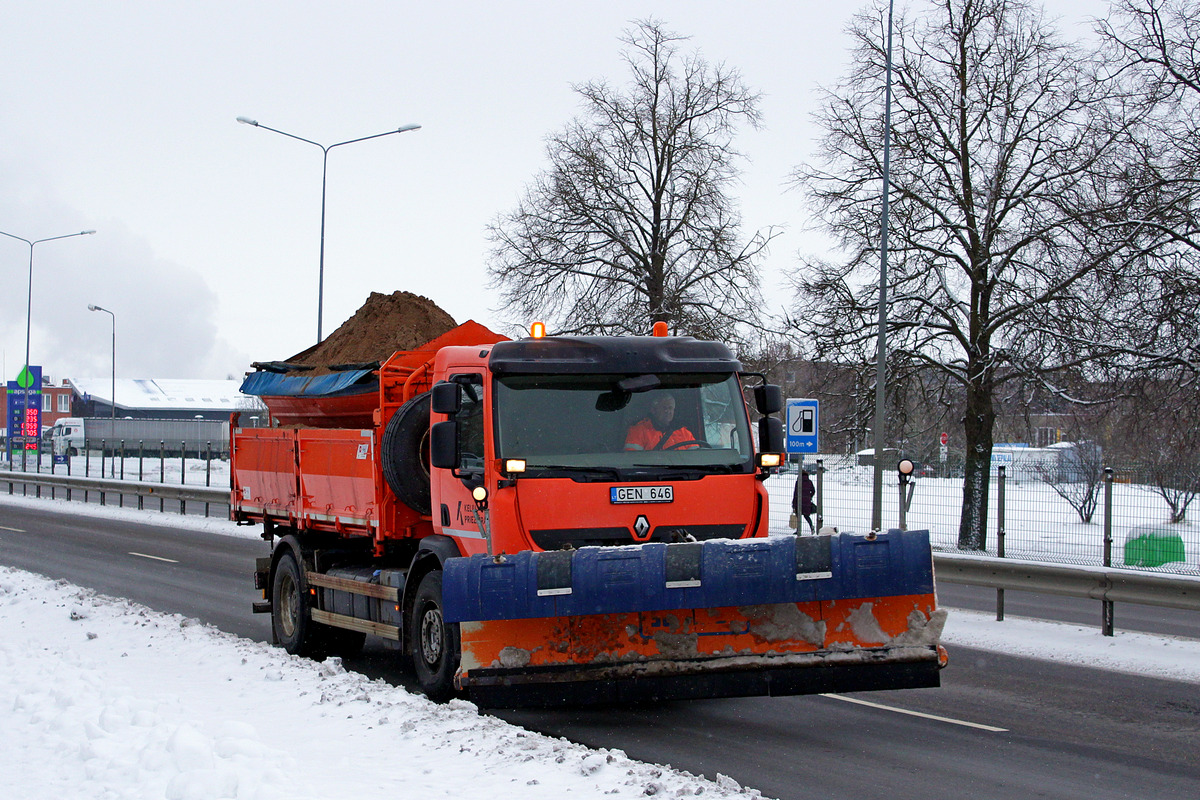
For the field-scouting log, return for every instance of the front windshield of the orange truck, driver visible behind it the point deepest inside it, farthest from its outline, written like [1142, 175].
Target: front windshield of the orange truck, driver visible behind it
[625, 423]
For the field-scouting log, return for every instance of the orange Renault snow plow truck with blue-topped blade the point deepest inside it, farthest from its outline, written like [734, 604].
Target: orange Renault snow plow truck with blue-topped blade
[531, 526]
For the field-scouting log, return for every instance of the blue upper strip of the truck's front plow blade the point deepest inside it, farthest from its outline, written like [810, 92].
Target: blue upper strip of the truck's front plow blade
[694, 575]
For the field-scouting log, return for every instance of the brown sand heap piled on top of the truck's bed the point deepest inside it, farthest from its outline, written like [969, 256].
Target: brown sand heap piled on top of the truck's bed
[383, 326]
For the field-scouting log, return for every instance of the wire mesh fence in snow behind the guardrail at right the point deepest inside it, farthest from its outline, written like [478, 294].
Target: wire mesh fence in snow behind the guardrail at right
[1031, 515]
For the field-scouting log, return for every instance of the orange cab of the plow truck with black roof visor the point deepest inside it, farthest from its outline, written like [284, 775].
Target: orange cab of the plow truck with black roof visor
[593, 442]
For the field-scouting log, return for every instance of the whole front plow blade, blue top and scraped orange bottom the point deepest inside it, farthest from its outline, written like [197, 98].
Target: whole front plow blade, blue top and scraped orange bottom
[783, 616]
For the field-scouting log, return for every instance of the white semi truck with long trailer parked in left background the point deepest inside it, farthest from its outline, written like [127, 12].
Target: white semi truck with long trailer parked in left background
[75, 435]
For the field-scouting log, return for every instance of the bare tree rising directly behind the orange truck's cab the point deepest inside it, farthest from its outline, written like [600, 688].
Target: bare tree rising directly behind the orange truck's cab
[632, 224]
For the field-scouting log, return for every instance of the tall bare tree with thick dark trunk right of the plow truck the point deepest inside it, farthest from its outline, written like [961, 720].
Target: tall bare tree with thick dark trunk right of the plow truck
[1007, 248]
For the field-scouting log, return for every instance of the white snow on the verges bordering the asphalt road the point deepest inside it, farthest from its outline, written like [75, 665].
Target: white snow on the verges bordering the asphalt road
[105, 699]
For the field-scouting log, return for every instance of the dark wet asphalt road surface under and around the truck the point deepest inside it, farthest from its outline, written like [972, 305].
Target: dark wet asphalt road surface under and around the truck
[1000, 727]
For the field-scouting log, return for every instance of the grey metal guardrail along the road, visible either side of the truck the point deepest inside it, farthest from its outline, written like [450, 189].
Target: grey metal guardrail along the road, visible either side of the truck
[1106, 585]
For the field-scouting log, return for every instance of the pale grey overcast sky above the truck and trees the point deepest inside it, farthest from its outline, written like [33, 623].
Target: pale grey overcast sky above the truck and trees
[121, 117]
